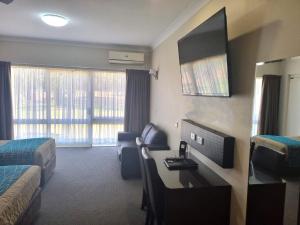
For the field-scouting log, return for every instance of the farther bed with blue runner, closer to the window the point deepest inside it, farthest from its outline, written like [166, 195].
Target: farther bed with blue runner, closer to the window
[44, 154]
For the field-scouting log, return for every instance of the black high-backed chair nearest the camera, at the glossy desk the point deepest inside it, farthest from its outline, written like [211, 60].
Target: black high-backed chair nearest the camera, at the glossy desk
[155, 213]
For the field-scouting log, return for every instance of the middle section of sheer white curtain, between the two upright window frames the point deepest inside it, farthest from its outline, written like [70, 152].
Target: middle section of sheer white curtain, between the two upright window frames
[70, 105]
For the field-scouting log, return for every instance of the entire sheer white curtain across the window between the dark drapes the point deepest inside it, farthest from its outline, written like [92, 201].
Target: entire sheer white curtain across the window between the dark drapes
[74, 106]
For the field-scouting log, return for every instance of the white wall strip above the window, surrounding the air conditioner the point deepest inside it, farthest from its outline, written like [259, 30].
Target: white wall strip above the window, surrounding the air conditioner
[65, 54]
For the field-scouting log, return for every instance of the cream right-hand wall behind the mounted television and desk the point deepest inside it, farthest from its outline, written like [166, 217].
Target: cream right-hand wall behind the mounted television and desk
[259, 30]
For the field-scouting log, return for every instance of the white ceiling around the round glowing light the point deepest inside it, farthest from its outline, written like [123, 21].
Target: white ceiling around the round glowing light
[130, 22]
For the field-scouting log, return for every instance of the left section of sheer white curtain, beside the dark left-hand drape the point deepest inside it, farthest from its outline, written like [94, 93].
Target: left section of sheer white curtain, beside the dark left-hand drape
[29, 92]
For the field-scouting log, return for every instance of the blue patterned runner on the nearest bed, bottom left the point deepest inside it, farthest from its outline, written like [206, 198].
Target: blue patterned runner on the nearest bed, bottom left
[9, 175]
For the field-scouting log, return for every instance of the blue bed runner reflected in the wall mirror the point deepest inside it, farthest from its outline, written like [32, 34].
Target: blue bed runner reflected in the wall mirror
[293, 147]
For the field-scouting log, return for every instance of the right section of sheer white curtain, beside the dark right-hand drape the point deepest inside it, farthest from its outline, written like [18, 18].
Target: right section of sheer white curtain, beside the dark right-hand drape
[109, 105]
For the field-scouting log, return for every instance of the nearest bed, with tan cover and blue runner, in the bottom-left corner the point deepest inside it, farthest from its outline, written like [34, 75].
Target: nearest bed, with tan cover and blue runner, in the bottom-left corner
[20, 197]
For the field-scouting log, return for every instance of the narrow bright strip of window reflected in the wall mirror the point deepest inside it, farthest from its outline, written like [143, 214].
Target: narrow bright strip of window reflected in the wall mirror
[256, 105]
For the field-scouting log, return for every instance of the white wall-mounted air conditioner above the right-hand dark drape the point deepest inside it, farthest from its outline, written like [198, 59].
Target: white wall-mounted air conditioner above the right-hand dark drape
[117, 57]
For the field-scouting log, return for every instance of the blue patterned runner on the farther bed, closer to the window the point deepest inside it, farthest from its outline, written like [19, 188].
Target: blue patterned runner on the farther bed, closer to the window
[20, 152]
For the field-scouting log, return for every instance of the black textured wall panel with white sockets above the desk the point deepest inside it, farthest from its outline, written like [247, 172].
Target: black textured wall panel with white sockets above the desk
[215, 145]
